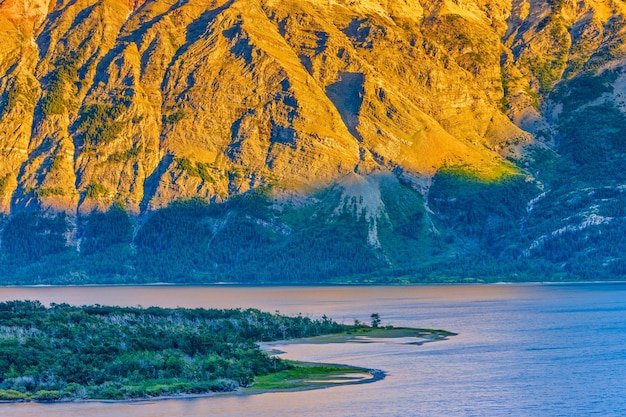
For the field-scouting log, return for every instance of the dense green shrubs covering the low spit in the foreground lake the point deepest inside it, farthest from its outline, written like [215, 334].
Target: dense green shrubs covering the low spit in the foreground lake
[119, 352]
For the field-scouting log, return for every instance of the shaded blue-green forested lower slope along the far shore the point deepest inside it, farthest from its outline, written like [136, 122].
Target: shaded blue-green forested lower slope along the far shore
[464, 231]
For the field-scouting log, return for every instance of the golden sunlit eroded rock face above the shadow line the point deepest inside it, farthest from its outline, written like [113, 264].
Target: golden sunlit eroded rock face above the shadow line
[147, 102]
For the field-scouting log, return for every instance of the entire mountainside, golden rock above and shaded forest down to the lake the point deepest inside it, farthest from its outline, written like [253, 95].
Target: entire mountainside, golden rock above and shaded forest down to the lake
[302, 140]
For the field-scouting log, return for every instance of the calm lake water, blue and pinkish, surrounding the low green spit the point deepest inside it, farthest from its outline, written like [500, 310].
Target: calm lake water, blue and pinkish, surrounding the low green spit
[522, 350]
